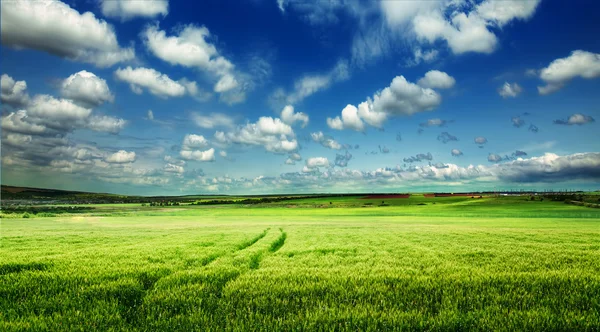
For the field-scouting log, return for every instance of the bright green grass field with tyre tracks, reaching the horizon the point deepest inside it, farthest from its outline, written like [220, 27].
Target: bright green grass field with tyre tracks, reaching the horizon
[308, 264]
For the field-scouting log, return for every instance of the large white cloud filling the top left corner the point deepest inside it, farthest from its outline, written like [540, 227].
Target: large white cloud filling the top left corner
[54, 27]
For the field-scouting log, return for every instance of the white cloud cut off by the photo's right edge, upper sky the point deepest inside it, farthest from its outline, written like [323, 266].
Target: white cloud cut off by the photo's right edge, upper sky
[579, 64]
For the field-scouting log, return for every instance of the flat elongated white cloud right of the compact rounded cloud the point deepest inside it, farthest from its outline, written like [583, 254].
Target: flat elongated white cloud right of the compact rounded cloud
[157, 83]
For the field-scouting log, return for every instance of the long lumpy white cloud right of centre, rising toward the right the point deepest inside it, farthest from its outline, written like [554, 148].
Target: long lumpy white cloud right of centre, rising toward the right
[400, 98]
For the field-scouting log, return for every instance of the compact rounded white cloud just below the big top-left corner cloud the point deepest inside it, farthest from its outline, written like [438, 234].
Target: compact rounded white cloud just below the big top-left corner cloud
[87, 89]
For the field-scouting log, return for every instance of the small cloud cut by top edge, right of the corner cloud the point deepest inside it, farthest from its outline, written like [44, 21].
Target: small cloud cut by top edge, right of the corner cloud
[128, 9]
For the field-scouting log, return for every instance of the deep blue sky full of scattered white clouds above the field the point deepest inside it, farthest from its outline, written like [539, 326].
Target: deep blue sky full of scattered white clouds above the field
[271, 96]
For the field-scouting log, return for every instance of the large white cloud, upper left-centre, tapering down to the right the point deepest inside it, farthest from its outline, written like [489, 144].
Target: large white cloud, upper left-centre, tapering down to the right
[190, 48]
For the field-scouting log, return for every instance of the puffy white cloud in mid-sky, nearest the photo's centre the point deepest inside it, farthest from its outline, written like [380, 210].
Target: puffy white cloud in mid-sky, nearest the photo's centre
[271, 133]
